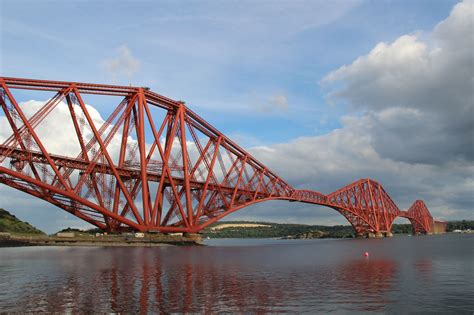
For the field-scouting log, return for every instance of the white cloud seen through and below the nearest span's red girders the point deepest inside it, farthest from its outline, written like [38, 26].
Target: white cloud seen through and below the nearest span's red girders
[57, 134]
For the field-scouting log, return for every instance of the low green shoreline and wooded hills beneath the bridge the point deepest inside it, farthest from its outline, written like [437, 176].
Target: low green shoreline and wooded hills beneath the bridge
[14, 232]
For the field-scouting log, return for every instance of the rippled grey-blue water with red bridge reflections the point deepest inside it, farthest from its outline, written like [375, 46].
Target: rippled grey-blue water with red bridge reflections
[402, 274]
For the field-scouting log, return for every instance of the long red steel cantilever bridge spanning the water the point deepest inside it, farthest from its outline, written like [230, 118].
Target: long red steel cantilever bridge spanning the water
[154, 164]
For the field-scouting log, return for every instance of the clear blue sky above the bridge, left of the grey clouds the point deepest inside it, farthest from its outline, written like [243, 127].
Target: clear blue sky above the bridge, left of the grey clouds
[219, 57]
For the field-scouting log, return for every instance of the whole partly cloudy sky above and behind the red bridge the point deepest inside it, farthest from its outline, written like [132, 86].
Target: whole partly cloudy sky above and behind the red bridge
[322, 92]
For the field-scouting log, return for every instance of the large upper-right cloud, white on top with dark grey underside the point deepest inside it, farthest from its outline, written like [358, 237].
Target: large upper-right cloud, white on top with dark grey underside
[418, 94]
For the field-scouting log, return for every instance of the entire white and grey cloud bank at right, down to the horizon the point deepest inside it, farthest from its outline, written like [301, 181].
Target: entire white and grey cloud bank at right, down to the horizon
[415, 134]
